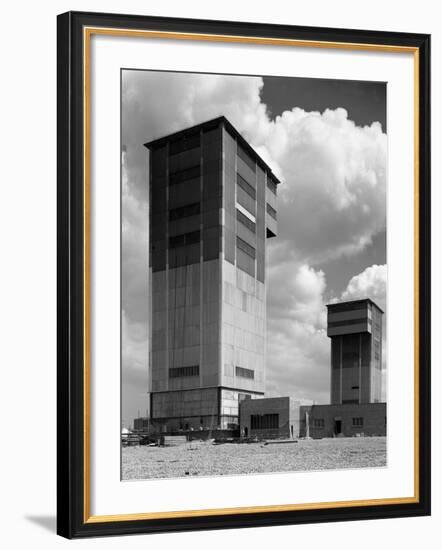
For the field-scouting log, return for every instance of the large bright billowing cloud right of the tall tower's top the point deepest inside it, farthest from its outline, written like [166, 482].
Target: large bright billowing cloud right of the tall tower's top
[333, 200]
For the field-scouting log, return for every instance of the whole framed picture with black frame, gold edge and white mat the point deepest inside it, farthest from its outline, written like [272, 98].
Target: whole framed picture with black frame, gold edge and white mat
[243, 274]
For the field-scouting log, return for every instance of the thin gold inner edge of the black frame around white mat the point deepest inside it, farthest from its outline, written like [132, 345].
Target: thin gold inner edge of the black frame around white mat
[87, 34]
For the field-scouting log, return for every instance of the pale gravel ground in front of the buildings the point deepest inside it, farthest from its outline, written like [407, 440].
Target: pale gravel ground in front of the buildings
[205, 459]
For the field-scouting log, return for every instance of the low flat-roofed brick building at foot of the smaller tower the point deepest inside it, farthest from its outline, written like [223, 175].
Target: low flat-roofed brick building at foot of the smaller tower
[318, 421]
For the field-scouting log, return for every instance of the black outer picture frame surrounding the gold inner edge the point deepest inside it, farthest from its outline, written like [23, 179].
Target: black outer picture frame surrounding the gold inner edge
[72, 505]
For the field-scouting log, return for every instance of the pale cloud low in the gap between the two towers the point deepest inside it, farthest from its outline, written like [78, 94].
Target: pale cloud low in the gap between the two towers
[297, 344]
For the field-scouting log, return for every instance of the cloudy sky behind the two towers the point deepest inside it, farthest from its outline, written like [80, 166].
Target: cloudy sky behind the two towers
[326, 140]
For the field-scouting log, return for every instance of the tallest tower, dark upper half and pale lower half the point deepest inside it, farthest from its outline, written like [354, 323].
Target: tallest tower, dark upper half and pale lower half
[212, 206]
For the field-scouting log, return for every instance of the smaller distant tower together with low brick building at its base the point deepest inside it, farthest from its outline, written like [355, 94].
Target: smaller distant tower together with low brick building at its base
[355, 330]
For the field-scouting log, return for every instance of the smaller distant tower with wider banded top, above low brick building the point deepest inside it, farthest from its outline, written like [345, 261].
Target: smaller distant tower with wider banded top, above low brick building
[355, 329]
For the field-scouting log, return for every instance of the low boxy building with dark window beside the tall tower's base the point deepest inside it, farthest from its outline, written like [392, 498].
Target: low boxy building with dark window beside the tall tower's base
[269, 418]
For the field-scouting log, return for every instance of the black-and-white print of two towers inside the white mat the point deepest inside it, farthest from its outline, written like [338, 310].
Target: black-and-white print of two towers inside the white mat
[253, 274]
